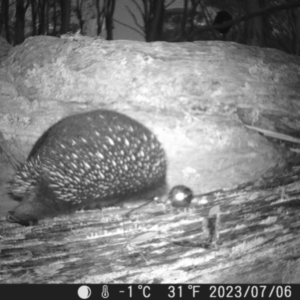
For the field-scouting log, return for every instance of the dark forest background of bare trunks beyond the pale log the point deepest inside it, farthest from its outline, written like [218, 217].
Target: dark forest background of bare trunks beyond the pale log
[264, 23]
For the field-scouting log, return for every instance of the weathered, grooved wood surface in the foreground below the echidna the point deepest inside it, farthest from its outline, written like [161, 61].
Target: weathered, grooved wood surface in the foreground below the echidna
[259, 241]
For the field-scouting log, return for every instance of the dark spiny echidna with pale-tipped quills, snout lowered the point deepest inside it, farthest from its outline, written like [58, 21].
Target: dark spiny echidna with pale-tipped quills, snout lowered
[88, 160]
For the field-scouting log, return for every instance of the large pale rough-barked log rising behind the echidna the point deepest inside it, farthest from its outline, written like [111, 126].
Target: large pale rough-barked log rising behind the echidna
[196, 97]
